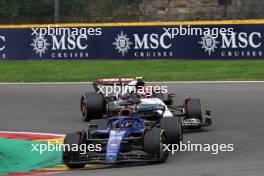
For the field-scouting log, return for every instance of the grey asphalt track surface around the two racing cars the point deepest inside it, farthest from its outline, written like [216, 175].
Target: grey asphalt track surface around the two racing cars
[238, 112]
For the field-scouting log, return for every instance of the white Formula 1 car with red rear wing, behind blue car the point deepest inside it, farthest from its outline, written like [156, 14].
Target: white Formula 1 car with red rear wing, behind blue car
[97, 105]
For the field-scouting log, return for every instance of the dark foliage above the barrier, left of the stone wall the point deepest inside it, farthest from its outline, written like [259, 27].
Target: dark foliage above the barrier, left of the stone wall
[42, 11]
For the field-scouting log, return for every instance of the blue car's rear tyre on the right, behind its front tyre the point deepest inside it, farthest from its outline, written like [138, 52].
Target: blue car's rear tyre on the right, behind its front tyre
[173, 128]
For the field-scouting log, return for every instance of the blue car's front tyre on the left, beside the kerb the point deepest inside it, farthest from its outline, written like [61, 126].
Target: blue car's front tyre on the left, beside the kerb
[71, 140]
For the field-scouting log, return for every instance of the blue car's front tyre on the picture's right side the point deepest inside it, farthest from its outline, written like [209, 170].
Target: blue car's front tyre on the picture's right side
[153, 143]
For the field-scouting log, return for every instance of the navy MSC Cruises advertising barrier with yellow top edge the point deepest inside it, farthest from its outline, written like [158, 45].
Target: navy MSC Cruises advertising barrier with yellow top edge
[189, 40]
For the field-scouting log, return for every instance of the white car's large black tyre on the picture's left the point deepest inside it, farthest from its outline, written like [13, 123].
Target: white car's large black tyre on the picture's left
[92, 106]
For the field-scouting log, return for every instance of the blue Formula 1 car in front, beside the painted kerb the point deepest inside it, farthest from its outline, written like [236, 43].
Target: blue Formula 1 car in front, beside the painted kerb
[123, 139]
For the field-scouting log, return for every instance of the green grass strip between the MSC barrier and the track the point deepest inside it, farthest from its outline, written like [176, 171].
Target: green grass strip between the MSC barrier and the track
[152, 70]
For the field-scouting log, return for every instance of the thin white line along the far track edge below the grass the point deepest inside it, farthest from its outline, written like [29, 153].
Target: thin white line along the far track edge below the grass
[158, 82]
